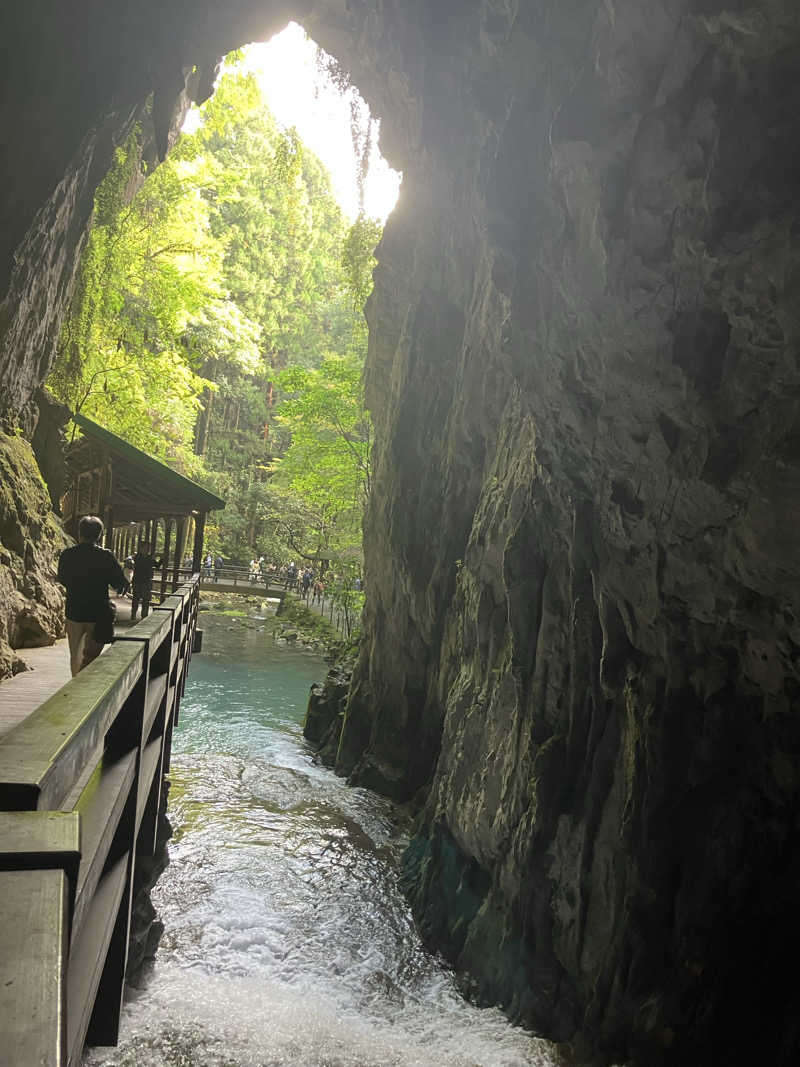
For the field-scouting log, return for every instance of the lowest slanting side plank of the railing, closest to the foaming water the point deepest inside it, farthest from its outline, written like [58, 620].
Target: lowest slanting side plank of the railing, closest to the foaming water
[88, 957]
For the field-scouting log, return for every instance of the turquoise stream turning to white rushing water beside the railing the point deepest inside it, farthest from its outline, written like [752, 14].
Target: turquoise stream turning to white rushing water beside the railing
[286, 941]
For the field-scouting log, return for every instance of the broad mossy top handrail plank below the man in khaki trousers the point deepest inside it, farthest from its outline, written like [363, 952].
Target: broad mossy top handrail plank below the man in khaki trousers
[43, 757]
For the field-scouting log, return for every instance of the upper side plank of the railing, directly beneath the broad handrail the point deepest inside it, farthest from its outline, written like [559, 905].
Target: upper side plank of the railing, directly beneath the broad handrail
[101, 807]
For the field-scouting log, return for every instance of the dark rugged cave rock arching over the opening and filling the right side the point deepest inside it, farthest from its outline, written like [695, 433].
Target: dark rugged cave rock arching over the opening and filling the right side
[583, 619]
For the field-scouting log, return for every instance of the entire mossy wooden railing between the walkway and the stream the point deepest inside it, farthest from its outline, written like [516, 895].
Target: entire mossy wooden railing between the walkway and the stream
[81, 793]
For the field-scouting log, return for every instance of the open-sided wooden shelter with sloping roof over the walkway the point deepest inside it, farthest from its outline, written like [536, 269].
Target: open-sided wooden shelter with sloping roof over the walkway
[134, 493]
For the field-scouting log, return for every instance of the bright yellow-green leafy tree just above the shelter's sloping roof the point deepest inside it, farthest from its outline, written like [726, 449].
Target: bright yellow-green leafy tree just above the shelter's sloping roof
[149, 268]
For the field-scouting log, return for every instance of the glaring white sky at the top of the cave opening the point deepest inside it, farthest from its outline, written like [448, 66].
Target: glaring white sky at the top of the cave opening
[299, 94]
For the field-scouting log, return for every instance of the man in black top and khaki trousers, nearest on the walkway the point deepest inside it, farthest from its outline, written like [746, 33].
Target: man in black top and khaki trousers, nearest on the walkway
[87, 571]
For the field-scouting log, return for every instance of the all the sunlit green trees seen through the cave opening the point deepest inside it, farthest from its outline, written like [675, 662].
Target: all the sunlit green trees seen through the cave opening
[218, 325]
